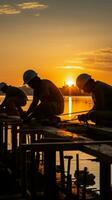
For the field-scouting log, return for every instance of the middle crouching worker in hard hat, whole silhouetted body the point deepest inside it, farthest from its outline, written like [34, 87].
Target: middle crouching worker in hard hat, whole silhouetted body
[47, 98]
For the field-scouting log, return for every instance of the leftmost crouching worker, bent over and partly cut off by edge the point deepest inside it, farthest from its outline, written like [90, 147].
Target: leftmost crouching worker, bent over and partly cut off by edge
[14, 99]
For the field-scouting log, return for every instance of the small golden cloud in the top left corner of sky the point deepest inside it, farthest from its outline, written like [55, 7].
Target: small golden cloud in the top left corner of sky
[11, 9]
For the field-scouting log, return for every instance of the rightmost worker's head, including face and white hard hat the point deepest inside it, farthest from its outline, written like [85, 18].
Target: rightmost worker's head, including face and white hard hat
[85, 82]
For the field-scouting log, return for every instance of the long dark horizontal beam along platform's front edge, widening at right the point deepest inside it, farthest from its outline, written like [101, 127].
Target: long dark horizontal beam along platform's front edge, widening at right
[95, 148]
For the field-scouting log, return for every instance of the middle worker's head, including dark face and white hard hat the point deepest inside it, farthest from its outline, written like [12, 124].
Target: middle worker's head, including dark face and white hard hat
[31, 78]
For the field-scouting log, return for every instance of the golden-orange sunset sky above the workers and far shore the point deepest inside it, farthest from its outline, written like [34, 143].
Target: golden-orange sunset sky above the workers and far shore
[58, 39]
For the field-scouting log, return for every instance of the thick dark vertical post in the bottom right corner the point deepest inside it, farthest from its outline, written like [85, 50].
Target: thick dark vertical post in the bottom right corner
[105, 180]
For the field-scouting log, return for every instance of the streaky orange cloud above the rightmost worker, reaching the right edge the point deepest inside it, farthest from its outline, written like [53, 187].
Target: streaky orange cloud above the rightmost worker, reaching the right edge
[100, 59]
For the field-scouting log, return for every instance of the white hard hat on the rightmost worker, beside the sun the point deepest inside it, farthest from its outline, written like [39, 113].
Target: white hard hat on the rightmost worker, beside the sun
[82, 79]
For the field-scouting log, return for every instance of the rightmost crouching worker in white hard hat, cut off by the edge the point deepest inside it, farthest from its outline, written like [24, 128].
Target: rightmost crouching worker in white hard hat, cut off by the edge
[101, 113]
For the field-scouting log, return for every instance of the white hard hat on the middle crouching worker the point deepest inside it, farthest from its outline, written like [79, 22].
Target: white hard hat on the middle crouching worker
[29, 75]
